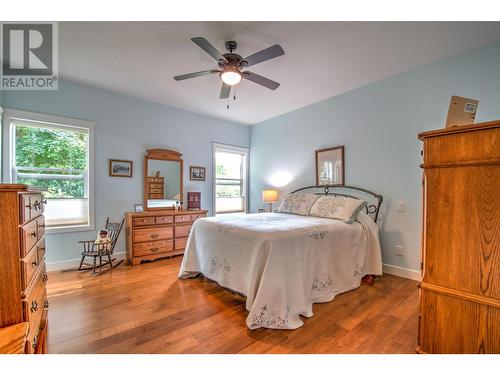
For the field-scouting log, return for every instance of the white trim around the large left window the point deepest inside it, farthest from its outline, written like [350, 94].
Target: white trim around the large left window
[8, 154]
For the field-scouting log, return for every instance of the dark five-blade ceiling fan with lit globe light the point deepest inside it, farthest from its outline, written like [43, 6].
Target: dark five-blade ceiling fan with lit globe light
[231, 65]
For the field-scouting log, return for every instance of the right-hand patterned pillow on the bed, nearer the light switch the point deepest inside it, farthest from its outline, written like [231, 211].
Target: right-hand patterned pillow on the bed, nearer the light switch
[342, 208]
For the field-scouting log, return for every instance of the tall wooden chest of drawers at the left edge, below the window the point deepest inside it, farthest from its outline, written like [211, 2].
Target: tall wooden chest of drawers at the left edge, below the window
[23, 277]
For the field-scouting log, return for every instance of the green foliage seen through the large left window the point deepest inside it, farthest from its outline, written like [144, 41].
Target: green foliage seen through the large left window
[50, 148]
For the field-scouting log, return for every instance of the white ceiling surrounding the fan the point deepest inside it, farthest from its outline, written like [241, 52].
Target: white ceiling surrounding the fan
[322, 59]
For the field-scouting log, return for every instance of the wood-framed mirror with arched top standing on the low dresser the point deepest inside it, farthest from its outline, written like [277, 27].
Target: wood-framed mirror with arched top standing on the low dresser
[162, 179]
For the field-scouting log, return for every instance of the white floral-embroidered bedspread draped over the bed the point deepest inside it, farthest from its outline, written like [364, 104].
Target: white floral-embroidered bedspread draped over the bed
[282, 263]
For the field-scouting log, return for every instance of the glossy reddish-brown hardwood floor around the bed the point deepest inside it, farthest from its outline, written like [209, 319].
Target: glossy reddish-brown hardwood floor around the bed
[147, 309]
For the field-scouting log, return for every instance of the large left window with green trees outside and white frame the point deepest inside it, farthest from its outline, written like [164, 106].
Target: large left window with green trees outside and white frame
[56, 157]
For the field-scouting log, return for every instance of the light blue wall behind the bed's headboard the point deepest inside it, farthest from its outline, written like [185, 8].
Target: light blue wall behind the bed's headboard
[378, 124]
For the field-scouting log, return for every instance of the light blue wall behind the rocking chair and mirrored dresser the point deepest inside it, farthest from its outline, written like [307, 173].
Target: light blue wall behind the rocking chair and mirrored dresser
[125, 128]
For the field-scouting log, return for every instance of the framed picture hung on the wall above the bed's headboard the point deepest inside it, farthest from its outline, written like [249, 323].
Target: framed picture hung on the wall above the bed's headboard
[330, 166]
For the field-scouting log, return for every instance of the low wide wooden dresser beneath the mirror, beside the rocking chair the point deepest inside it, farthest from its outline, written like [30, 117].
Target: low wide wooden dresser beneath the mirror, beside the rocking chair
[158, 233]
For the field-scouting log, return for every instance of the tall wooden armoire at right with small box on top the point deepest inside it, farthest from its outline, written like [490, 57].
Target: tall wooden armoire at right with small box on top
[460, 288]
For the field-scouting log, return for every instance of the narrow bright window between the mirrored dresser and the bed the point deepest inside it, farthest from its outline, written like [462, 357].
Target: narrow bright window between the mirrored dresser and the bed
[230, 182]
